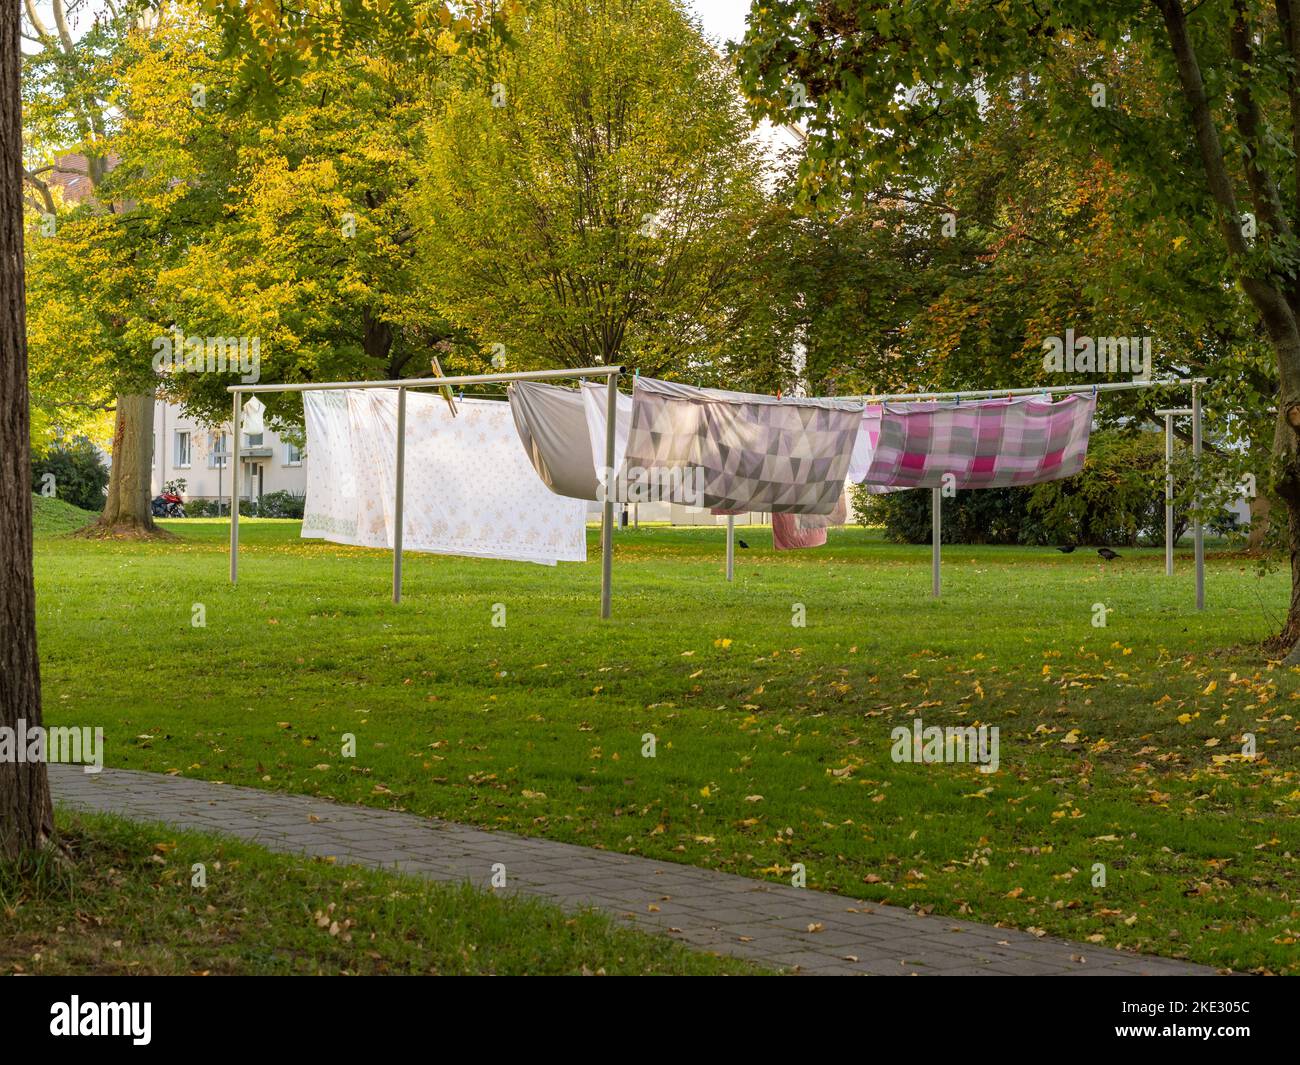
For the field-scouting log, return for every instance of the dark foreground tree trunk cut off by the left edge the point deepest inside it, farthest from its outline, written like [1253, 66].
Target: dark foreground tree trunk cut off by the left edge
[27, 817]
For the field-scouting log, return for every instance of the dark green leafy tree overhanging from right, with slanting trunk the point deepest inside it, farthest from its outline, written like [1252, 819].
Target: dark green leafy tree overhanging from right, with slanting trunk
[1201, 109]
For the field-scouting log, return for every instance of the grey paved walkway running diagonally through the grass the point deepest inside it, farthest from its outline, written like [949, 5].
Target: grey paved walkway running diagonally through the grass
[765, 923]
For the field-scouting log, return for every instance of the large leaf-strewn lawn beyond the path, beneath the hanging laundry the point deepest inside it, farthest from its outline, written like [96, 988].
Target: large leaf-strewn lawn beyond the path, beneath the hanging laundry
[1120, 746]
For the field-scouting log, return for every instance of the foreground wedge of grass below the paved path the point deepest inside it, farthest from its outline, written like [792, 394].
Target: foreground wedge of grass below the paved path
[128, 906]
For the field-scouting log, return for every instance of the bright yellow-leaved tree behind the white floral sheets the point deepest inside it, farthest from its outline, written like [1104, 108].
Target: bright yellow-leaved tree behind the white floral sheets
[297, 236]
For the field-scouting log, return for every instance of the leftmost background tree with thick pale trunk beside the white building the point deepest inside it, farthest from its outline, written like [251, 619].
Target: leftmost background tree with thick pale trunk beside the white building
[70, 84]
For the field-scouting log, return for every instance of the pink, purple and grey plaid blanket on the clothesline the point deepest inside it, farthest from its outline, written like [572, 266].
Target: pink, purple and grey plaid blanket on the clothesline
[986, 444]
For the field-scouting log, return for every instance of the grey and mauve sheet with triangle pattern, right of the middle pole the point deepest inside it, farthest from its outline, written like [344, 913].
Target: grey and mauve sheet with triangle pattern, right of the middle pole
[739, 452]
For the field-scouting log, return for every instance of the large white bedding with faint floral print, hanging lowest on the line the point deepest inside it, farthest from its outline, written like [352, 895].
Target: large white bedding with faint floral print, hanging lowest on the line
[470, 490]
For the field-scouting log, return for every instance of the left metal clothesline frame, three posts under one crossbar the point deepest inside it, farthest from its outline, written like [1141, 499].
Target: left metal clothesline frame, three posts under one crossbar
[402, 386]
